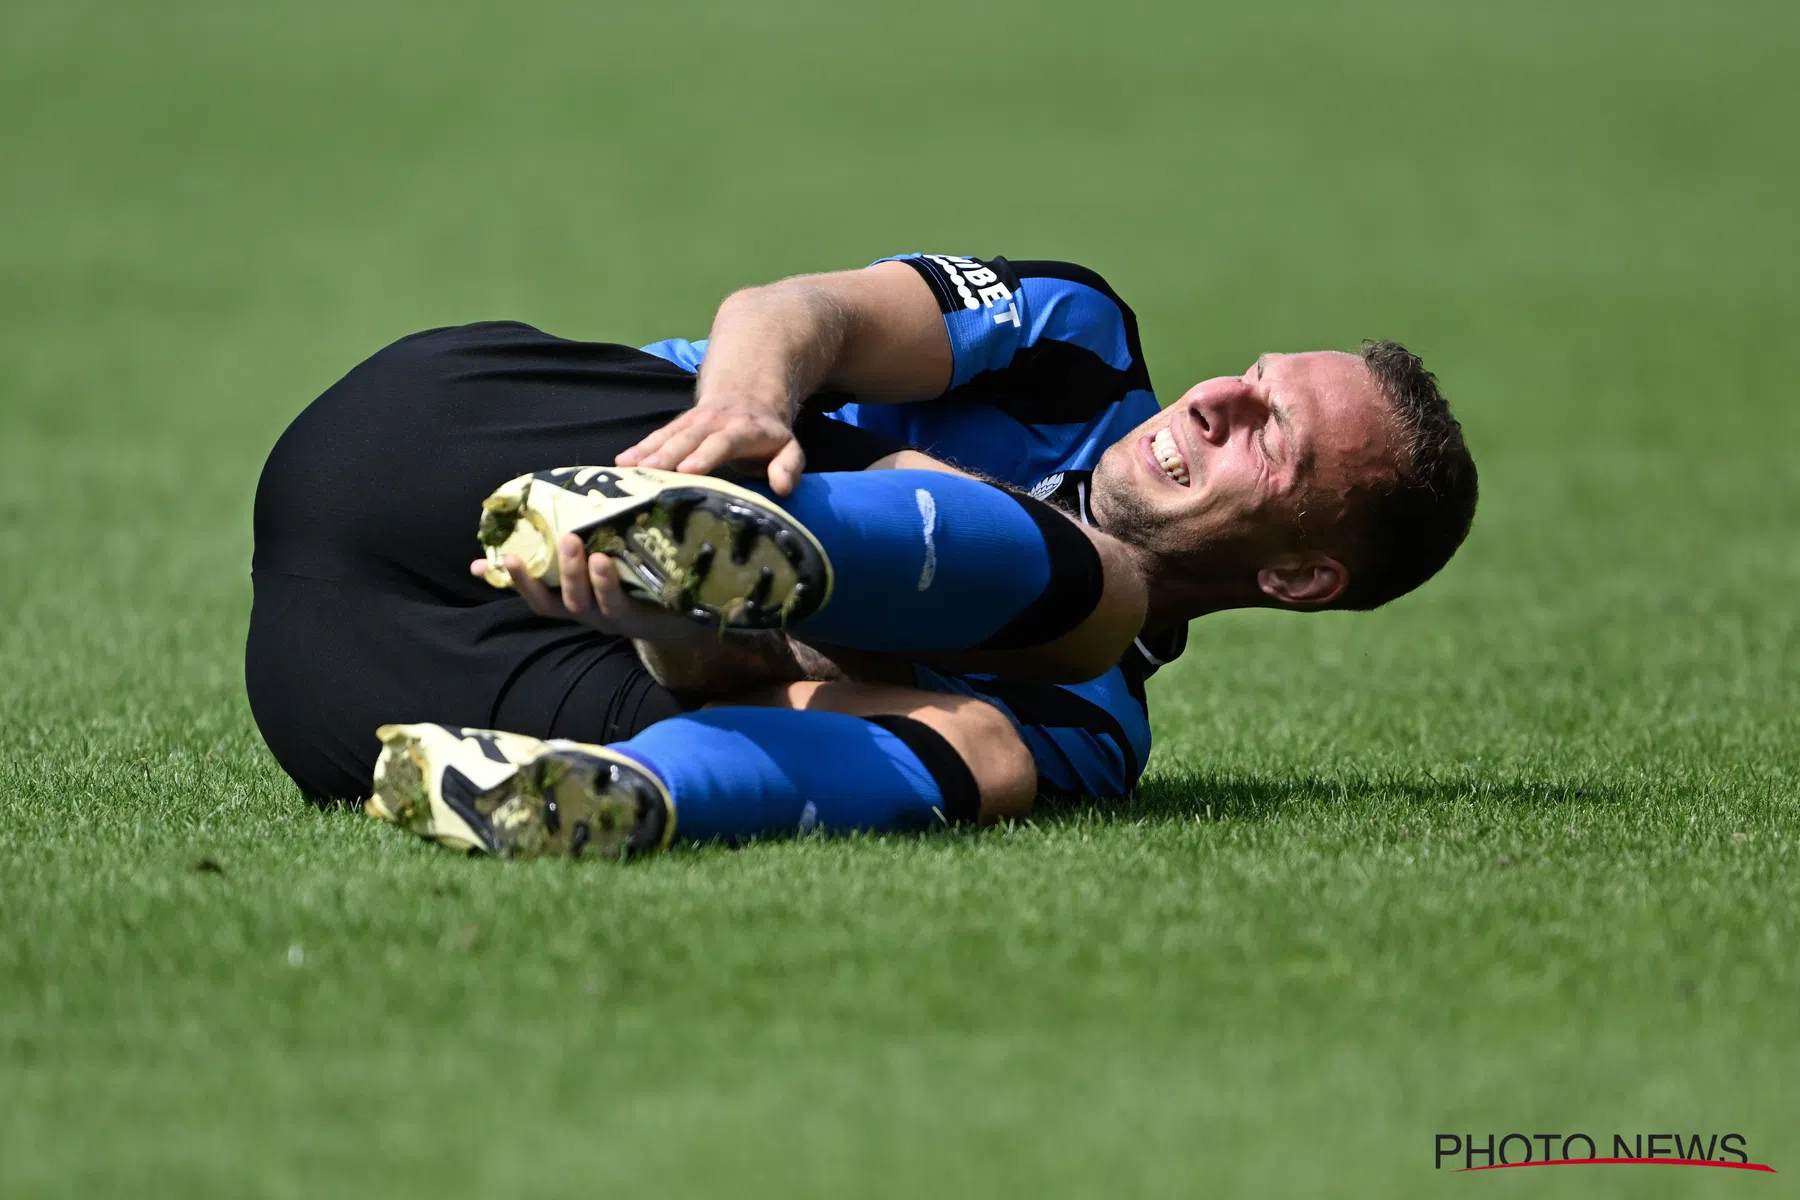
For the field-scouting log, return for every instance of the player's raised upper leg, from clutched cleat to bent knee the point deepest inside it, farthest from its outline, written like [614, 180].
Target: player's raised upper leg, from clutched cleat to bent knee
[904, 562]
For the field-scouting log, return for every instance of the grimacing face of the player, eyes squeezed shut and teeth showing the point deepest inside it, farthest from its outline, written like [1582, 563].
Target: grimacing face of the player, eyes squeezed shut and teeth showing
[1243, 461]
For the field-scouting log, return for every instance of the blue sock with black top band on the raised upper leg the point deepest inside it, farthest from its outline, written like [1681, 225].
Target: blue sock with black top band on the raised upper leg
[935, 564]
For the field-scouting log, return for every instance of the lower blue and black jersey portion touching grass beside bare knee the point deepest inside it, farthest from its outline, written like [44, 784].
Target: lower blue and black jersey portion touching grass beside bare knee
[1084, 739]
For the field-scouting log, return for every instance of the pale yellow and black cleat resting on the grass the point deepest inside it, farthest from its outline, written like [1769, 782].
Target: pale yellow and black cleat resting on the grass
[516, 796]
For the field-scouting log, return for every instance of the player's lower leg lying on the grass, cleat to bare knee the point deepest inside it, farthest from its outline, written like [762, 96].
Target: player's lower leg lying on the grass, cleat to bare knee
[847, 758]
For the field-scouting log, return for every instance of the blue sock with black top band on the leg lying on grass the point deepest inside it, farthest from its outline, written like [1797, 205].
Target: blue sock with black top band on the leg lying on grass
[746, 773]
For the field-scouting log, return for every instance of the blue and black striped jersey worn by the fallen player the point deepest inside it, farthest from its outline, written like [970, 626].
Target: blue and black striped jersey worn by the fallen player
[1047, 375]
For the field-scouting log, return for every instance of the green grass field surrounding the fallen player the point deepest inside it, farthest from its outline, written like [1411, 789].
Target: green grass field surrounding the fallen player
[1515, 855]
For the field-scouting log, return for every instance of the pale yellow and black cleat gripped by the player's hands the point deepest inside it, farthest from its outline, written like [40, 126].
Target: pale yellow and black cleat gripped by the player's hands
[692, 544]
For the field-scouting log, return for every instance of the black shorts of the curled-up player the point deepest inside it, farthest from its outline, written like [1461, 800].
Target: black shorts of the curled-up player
[366, 519]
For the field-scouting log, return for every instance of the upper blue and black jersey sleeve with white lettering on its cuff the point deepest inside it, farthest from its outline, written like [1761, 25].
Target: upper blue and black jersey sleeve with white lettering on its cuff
[1050, 341]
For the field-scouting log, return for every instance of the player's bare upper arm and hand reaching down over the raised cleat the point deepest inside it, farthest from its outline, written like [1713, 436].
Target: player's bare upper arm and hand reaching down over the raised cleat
[876, 332]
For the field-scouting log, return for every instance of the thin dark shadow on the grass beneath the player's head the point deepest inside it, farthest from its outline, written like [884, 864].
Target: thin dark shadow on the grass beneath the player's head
[1210, 796]
